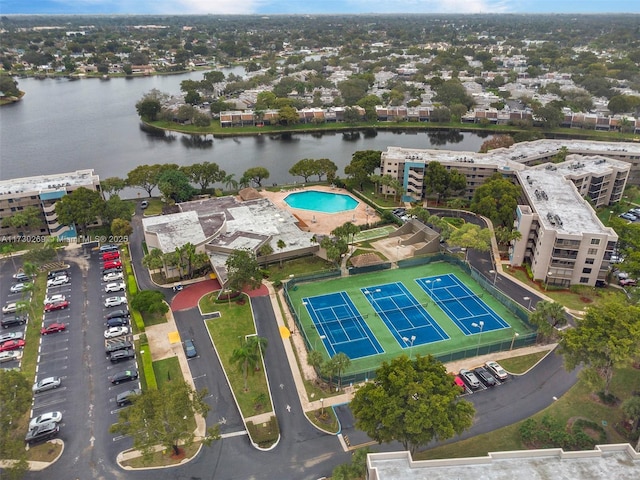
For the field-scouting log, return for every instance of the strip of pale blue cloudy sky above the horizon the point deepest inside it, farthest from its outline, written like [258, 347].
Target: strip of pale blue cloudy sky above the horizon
[319, 6]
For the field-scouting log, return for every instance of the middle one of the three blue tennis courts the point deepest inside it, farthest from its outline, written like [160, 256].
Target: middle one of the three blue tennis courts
[404, 316]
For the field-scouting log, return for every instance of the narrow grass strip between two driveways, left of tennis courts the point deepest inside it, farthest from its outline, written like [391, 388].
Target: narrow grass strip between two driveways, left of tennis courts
[228, 331]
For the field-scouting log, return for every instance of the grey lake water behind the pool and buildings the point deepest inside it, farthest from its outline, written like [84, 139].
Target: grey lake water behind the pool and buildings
[63, 125]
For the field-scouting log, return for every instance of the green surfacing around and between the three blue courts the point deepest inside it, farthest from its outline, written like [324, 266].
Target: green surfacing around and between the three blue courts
[352, 285]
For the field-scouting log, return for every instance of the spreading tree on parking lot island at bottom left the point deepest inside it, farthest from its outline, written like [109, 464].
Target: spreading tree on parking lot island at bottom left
[164, 417]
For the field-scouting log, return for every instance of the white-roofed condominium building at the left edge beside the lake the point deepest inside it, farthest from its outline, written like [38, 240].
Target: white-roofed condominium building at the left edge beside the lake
[41, 192]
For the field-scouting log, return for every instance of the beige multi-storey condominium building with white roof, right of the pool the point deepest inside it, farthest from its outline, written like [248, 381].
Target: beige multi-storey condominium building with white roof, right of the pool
[563, 240]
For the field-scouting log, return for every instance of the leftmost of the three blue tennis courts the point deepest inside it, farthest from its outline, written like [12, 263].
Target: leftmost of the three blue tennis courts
[340, 326]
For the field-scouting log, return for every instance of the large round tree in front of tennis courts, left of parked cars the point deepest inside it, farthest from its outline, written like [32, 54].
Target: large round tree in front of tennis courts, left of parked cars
[412, 402]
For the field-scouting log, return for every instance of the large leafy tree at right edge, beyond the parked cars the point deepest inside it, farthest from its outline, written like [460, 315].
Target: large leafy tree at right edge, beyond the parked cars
[606, 338]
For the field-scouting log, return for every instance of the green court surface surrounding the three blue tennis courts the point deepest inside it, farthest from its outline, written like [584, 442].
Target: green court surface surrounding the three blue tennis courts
[457, 345]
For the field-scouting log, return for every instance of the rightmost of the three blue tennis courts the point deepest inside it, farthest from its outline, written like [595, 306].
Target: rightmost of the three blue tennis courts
[461, 304]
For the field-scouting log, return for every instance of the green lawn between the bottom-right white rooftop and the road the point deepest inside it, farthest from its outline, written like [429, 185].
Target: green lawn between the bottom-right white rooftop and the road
[579, 401]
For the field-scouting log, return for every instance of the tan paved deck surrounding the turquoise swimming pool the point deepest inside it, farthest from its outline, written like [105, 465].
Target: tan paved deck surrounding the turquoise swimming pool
[323, 223]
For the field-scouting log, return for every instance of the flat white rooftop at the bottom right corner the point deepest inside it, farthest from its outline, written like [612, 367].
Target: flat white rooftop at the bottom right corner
[617, 461]
